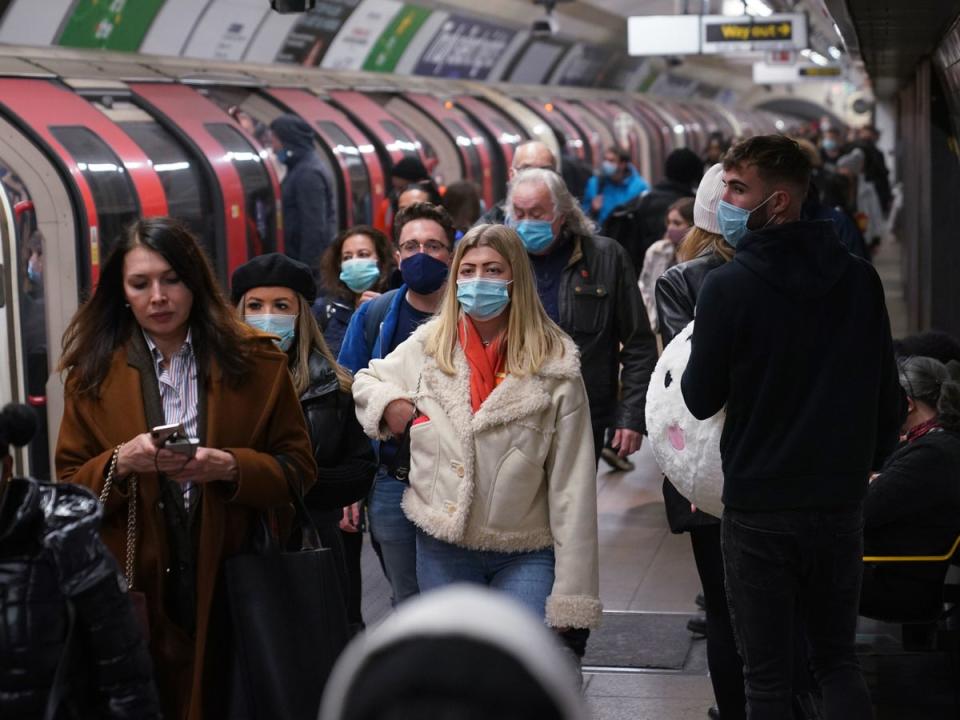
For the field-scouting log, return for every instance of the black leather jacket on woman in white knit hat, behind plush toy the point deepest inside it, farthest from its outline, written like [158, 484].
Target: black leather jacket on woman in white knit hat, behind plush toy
[676, 295]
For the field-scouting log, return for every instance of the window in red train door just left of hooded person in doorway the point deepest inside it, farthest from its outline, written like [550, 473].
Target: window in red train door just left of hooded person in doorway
[257, 189]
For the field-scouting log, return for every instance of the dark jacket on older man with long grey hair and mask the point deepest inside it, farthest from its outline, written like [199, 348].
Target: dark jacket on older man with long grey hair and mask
[601, 309]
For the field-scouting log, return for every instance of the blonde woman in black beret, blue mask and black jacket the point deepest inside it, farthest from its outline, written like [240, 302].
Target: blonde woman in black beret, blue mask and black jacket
[273, 293]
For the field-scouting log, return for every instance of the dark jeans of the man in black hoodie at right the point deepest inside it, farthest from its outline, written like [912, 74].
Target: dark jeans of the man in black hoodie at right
[785, 565]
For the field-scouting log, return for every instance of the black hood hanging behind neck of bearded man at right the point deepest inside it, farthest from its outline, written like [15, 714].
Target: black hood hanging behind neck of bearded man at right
[803, 259]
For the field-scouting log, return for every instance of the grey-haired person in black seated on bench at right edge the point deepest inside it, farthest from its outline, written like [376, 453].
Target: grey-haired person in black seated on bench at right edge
[913, 504]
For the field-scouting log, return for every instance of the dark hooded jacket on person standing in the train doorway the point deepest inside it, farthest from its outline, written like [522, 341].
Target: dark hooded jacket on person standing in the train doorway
[309, 202]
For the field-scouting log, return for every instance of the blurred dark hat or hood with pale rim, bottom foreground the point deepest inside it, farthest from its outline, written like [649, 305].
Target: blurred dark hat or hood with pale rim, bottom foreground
[462, 643]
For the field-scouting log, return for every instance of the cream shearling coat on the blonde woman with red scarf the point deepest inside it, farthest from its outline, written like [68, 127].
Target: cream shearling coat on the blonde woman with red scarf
[518, 475]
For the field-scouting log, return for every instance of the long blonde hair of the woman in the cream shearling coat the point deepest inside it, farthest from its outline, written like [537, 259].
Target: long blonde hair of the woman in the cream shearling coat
[532, 337]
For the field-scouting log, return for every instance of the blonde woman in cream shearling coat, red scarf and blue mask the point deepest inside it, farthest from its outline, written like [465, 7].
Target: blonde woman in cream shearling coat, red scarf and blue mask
[502, 468]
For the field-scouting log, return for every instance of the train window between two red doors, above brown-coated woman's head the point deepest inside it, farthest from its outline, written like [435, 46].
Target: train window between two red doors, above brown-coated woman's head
[188, 195]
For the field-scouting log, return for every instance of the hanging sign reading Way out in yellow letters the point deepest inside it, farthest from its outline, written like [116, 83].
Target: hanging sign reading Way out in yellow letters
[722, 33]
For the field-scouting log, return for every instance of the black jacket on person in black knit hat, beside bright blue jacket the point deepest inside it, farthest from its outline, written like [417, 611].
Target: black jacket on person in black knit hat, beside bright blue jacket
[641, 222]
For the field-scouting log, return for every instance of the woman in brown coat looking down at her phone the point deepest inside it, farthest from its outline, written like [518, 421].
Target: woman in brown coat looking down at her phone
[157, 345]
